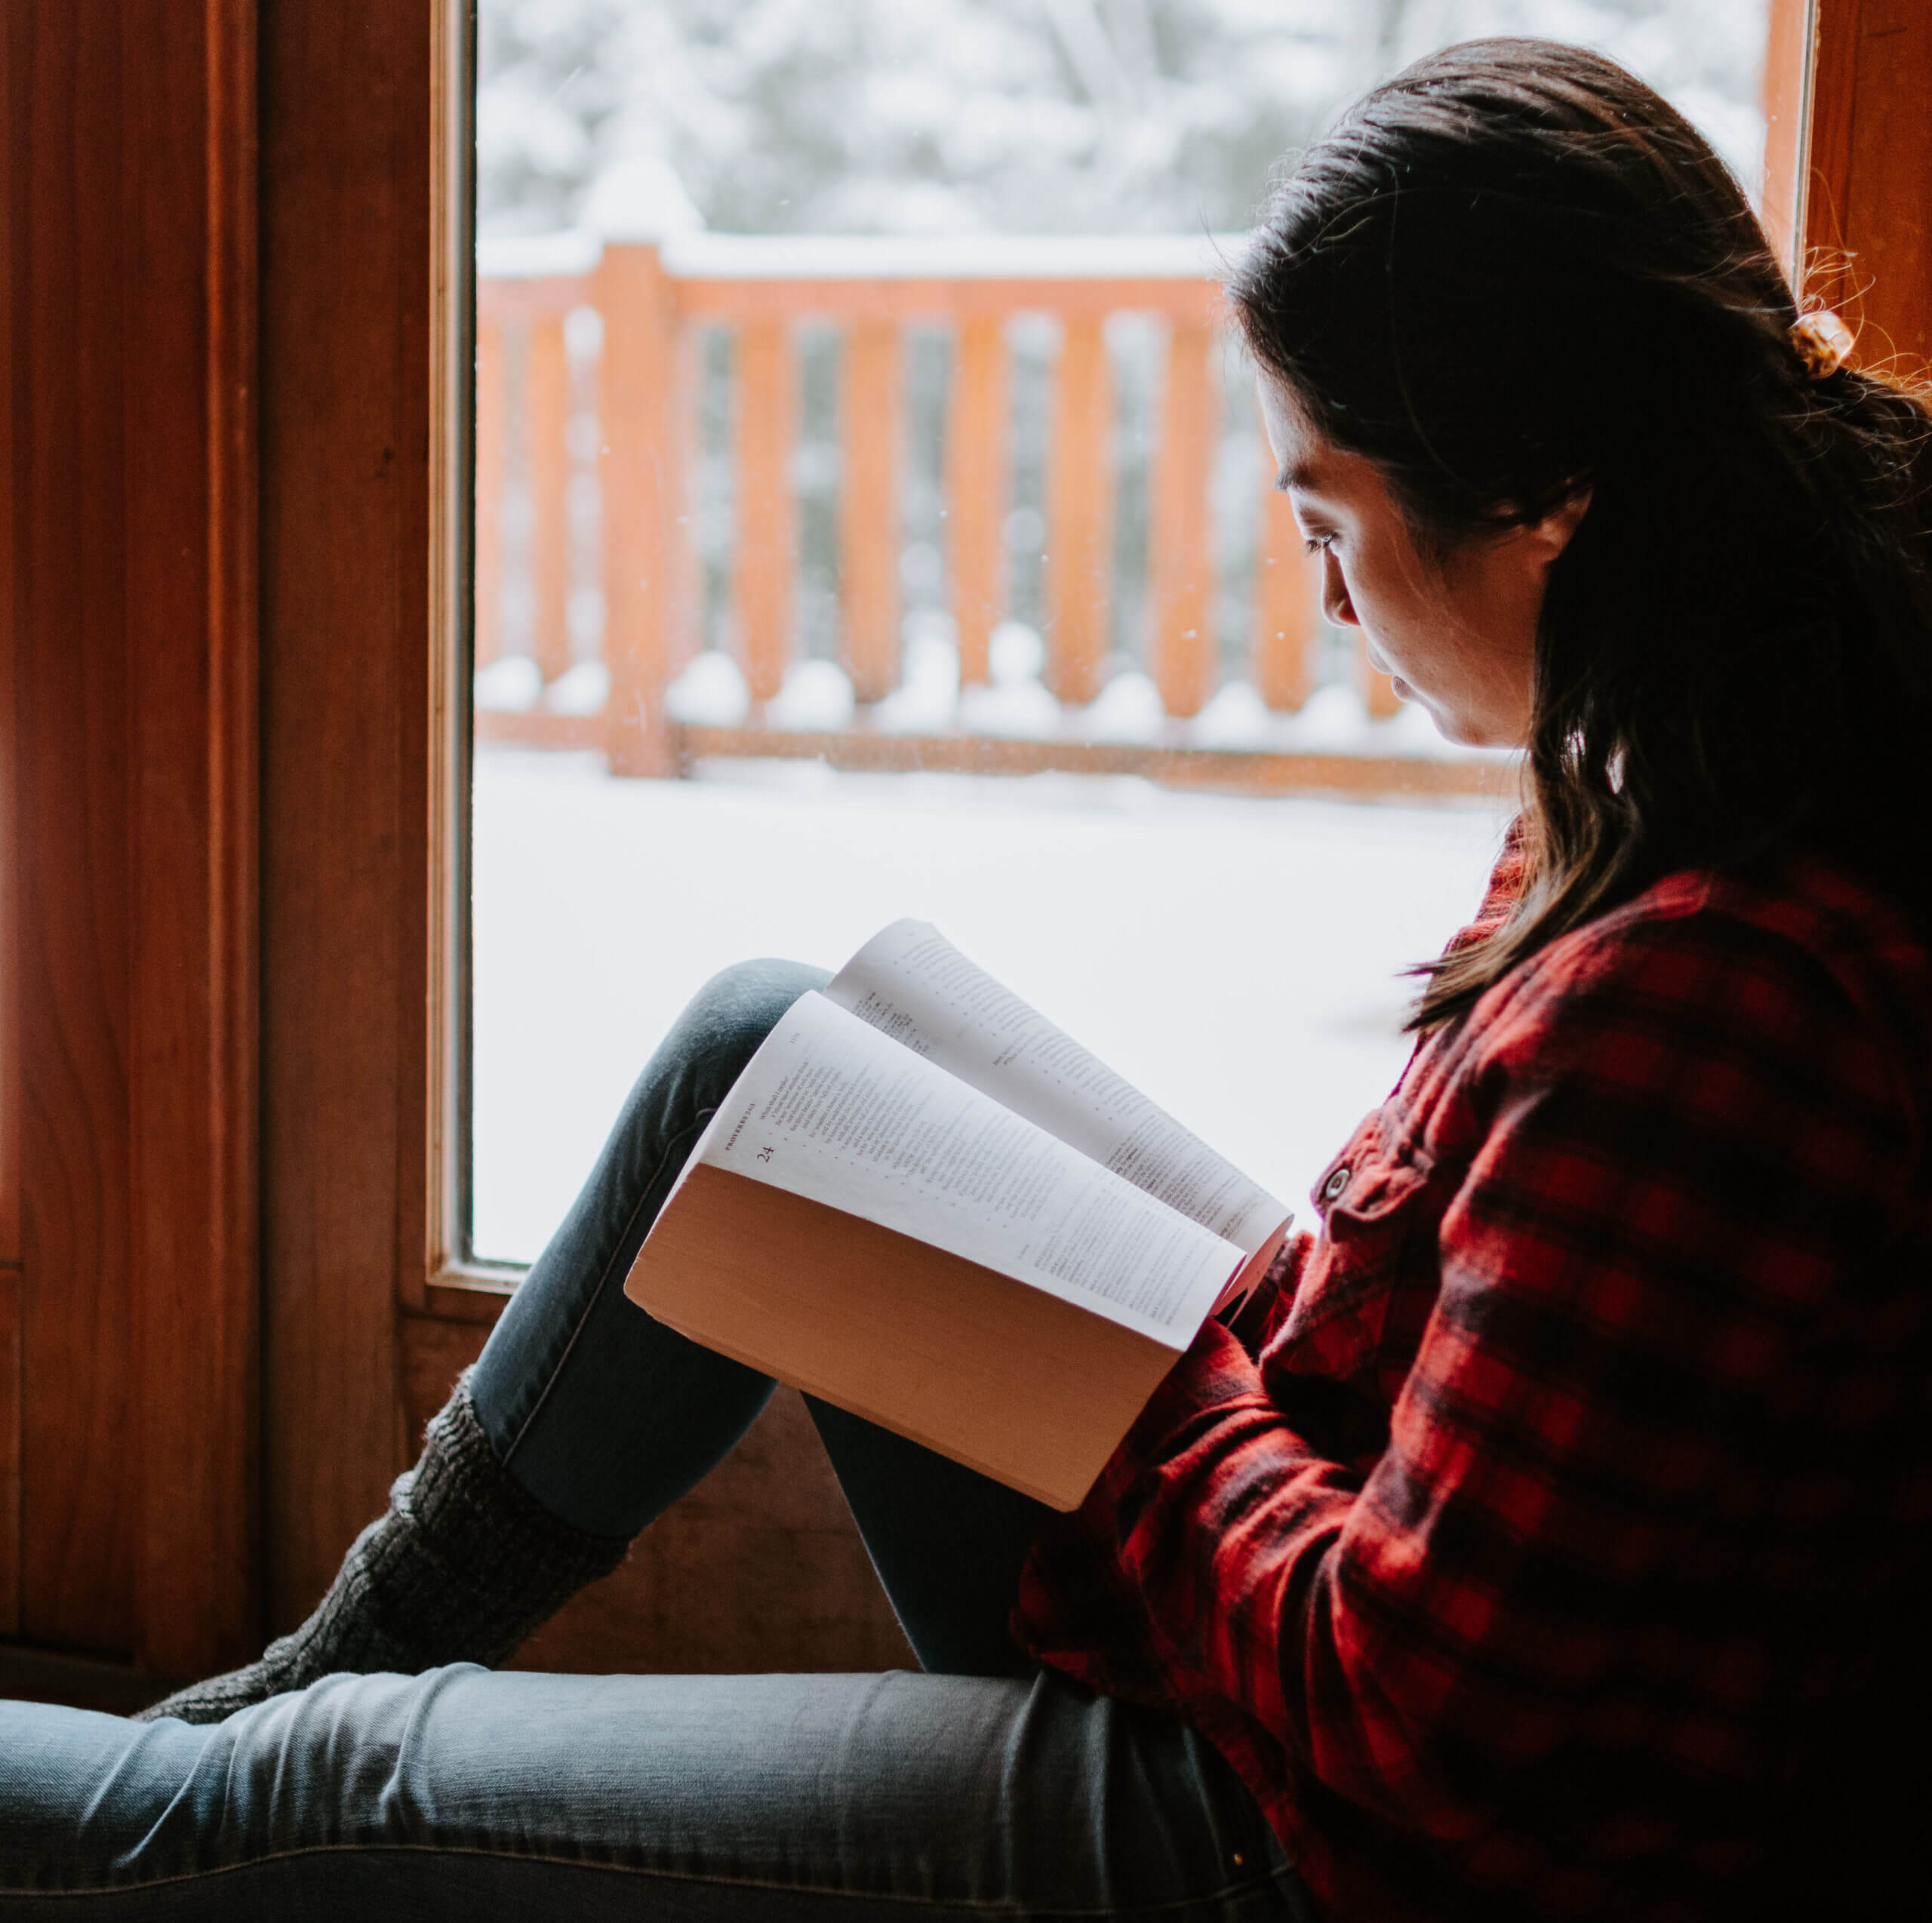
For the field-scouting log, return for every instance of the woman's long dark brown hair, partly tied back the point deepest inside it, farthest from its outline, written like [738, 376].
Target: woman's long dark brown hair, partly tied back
[1516, 273]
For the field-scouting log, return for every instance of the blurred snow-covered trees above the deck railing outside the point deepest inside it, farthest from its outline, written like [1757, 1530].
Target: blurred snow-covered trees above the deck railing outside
[1004, 115]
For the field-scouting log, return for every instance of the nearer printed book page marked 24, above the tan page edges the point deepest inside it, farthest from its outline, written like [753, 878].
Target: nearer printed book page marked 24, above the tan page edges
[836, 1112]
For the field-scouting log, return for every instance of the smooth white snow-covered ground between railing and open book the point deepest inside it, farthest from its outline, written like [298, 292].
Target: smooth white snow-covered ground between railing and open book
[1234, 958]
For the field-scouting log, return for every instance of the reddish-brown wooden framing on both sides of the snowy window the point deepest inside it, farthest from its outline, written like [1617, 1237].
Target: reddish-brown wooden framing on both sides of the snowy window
[235, 730]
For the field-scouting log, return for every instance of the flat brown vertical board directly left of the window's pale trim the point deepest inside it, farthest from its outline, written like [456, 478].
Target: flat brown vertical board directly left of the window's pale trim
[349, 175]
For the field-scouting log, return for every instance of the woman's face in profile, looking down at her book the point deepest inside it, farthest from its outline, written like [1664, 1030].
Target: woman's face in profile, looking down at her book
[1458, 633]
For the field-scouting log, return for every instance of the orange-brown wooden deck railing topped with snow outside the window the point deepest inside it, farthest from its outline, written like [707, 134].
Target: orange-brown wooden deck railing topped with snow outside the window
[596, 422]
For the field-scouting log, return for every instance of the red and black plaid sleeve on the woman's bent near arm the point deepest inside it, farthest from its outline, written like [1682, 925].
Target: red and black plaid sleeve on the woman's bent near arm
[1686, 1147]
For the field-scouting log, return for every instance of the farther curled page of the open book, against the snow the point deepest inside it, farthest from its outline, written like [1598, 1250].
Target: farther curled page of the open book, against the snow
[915, 987]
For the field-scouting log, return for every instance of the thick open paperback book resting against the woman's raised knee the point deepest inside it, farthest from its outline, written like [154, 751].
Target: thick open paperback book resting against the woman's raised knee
[930, 1207]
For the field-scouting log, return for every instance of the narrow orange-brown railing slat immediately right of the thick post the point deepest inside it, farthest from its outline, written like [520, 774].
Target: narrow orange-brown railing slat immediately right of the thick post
[762, 579]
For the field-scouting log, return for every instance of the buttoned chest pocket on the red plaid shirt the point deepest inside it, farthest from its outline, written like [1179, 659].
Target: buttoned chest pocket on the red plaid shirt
[1369, 1199]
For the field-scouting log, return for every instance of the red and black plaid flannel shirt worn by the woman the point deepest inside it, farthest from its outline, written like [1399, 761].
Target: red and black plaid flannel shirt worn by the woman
[1525, 1555]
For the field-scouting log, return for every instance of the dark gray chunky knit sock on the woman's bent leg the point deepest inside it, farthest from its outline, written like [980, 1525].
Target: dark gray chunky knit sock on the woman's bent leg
[463, 1568]
